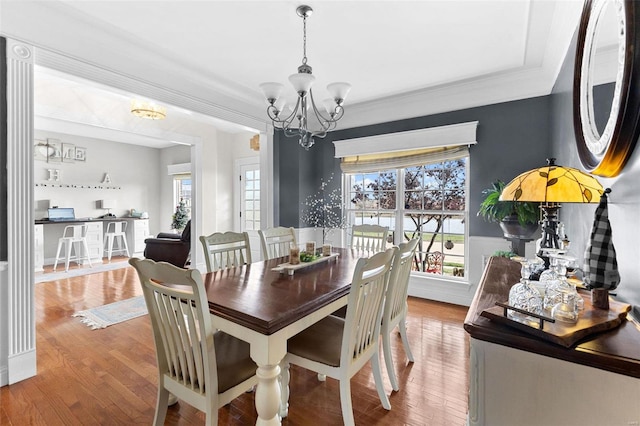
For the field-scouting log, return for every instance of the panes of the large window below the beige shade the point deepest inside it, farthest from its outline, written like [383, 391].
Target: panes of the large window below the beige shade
[425, 201]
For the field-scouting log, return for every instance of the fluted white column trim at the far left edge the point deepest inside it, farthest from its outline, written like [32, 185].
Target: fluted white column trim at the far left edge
[20, 221]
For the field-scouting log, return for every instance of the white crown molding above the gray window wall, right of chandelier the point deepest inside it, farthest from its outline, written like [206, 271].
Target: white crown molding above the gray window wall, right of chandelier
[536, 77]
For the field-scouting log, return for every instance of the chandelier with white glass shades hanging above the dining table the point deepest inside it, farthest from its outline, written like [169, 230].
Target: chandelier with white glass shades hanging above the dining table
[294, 122]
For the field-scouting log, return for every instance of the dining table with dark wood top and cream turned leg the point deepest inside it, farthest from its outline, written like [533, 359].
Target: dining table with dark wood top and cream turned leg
[265, 307]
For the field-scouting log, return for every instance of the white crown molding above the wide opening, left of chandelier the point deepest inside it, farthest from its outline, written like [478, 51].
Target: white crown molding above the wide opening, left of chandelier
[162, 79]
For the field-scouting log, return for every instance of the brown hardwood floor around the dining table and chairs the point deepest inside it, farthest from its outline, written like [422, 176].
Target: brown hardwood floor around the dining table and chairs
[108, 376]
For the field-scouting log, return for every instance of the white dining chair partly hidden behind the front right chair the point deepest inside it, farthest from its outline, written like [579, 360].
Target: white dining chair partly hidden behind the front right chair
[395, 306]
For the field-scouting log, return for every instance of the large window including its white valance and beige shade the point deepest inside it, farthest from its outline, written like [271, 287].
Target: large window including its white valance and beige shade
[414, 182]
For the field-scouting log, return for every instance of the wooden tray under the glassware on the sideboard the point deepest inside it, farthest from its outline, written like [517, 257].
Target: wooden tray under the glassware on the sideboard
[590, 320]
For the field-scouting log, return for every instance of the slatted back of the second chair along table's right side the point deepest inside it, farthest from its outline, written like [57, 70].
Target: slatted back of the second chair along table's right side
[396, 300]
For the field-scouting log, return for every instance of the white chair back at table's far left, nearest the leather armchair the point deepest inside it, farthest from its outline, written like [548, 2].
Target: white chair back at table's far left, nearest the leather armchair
[226, 250]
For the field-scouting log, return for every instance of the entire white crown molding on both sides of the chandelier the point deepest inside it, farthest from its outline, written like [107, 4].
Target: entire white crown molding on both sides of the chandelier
[117, 59]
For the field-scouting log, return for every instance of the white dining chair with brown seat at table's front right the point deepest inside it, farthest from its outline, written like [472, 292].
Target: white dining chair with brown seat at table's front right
[339, 348]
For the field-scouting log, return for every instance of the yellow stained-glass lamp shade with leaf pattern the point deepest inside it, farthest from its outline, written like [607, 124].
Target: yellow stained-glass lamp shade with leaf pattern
[553, 184]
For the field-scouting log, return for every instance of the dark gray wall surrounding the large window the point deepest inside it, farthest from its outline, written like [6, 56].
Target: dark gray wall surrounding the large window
[512, 137]
